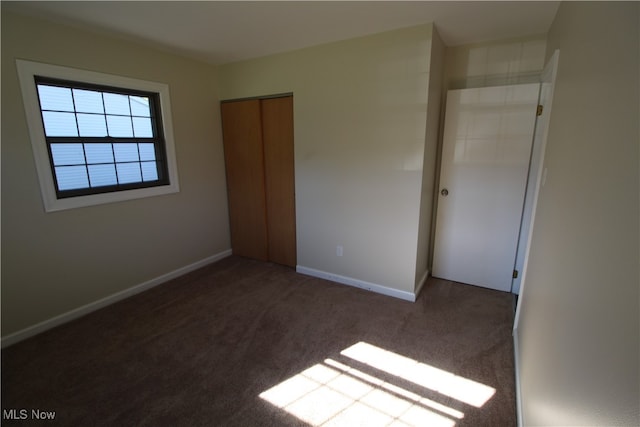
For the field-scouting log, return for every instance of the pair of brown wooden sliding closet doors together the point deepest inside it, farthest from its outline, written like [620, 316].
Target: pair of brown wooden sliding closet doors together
[259, 159]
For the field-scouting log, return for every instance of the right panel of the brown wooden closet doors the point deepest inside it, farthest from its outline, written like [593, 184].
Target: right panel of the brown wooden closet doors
[277, 133]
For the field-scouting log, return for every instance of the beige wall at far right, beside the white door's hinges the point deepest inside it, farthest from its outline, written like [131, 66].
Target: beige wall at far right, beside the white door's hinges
[578, 334]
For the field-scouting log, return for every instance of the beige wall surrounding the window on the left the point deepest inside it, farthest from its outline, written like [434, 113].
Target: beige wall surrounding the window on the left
[53, 263]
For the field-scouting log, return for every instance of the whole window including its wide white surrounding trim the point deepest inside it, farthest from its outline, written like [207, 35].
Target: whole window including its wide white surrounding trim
[97, 138]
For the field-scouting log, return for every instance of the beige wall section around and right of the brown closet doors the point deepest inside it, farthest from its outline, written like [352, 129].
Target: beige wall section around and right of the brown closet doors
[360, 110]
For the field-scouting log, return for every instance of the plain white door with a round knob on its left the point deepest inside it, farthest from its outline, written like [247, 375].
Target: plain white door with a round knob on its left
[485, 161]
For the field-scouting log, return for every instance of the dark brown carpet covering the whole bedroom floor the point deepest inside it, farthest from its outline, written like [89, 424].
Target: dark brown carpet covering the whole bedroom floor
[201, 349]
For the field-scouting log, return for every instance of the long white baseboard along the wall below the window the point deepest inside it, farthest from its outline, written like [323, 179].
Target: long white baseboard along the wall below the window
[103, 302]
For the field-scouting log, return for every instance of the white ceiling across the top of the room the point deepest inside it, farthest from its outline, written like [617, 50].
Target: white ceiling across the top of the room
[226, 31]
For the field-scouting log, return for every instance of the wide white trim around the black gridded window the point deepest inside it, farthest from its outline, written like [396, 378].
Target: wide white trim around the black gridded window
[27, 70]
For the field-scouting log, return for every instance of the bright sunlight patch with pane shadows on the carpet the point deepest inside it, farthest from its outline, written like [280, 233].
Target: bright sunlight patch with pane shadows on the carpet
[341, 393]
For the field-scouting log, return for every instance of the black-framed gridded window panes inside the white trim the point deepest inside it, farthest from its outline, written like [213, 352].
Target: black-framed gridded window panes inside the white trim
[101, 139]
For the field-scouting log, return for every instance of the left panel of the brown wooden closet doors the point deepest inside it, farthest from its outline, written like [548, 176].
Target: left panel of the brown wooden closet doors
[243, 153]
